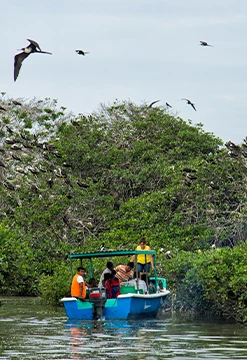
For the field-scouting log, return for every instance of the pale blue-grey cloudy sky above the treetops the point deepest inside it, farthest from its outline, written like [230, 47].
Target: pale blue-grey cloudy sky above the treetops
[139, 50]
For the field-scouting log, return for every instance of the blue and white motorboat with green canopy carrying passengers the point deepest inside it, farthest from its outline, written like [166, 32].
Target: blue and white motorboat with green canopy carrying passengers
[130, 303]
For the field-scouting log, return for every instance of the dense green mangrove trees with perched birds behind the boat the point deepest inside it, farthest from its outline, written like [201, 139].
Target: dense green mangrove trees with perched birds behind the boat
[70, 183]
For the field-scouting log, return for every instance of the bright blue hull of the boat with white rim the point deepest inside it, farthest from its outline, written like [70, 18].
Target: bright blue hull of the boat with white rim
[125, 306]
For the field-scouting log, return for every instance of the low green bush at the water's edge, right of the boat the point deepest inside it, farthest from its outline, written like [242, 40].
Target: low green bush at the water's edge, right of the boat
[213, 281]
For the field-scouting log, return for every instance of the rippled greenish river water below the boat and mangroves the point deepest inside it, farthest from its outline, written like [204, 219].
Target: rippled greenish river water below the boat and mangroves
[31, 330]
